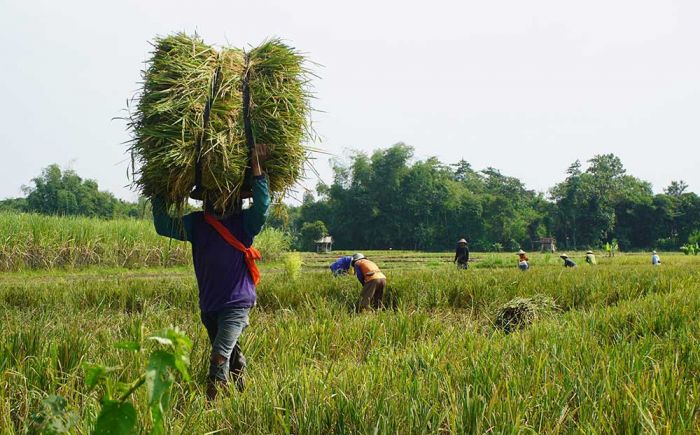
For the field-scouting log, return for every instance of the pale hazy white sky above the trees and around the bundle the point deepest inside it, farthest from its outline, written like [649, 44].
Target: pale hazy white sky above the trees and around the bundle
[524, 86]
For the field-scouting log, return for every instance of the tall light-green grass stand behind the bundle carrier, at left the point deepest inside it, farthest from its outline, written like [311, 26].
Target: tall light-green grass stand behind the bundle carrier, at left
[32, 241]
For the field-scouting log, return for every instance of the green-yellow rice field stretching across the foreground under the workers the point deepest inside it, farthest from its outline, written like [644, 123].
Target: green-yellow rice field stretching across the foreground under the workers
[619, 355]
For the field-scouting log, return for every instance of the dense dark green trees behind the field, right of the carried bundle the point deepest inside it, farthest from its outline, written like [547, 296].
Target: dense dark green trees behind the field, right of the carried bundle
[387, 200]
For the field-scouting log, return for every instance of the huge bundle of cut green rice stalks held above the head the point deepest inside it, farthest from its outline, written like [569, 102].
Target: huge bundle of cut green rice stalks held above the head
[192, 107]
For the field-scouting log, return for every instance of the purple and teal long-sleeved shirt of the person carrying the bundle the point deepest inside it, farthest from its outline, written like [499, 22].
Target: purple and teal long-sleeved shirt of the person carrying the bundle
[222, 274]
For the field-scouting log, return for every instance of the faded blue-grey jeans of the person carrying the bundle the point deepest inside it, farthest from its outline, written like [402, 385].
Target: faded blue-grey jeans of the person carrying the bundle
[224, 328]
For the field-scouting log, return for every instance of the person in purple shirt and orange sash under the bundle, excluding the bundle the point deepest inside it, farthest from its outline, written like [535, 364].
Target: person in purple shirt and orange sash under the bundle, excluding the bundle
[224, 263]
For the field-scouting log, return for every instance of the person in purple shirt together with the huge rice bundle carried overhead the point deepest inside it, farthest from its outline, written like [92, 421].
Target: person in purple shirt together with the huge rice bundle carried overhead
[201, 118]
